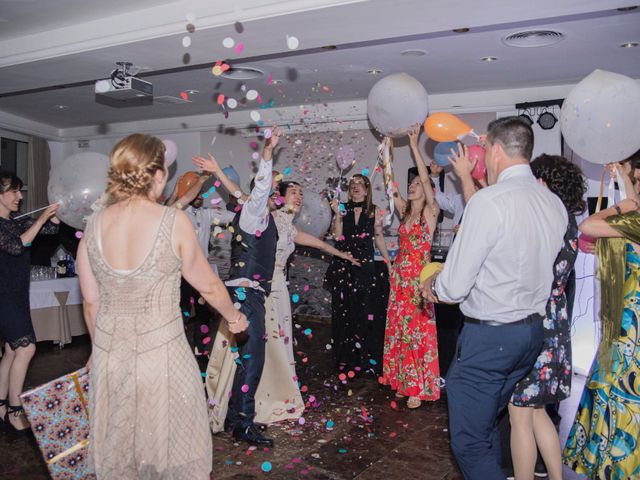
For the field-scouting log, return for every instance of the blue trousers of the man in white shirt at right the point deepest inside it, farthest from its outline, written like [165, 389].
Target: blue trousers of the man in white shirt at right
[489, 361]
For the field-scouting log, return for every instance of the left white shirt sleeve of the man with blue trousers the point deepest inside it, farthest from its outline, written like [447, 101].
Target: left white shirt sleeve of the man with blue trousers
[479, 232]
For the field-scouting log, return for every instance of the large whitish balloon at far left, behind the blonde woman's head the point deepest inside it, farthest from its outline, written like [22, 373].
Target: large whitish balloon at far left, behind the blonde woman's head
[76, 184]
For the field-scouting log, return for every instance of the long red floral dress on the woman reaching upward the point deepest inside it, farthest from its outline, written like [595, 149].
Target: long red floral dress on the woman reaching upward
[410, 363]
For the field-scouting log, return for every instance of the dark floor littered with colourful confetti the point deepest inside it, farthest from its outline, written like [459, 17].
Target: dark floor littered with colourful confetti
[371, 438]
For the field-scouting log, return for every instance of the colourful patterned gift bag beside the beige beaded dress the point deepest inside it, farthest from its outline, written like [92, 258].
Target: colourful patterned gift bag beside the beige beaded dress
[59, 417]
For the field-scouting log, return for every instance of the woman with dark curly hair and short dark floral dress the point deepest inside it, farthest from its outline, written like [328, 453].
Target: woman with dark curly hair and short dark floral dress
[549, 381]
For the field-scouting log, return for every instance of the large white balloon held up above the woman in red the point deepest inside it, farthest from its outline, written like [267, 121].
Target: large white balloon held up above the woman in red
[396, 103]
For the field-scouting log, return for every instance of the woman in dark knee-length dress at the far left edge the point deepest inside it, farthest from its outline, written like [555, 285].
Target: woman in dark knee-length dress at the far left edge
[16, 329]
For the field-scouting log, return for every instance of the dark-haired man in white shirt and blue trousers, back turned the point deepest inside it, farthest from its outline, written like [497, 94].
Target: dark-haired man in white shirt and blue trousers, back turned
[500, 270]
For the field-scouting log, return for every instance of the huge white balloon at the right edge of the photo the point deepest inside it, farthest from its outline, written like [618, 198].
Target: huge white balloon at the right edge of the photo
[599, 117]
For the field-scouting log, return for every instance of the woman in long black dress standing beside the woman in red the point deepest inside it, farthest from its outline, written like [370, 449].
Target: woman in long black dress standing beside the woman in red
[357, 326]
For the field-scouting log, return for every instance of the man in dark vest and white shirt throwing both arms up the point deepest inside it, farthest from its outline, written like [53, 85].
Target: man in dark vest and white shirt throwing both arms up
[253, 250]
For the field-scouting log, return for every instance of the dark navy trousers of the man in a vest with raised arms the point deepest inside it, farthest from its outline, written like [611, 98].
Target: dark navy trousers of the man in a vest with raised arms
[251, 348]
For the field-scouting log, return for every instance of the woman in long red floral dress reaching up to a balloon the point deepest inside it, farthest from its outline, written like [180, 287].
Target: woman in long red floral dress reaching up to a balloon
[410, 364]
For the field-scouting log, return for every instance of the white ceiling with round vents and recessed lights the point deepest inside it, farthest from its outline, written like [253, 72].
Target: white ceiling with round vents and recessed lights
[47, 45]
